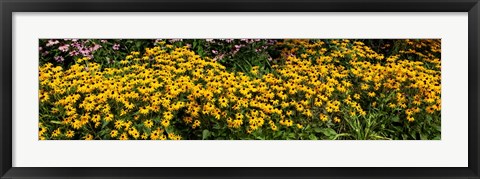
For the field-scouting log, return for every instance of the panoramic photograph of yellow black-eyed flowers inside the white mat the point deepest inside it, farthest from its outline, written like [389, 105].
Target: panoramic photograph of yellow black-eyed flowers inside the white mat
[239, 89]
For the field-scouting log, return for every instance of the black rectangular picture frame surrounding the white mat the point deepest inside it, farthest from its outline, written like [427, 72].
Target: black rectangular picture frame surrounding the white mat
[10, 6]
